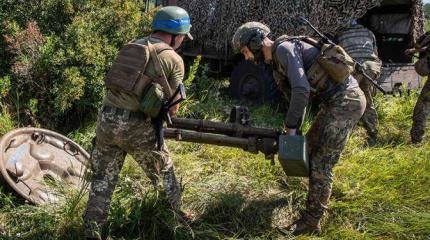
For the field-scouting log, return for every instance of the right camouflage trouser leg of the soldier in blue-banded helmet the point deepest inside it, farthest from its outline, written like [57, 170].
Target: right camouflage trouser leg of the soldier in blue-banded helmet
[158, 165]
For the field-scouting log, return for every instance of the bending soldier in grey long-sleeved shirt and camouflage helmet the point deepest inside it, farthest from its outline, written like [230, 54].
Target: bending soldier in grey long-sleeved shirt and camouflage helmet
[300, 76]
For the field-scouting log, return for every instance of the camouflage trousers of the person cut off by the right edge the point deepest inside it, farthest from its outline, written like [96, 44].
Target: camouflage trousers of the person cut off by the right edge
[421, 112]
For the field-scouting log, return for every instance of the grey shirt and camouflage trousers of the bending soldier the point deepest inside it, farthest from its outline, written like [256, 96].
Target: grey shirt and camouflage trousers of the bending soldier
[327, 137]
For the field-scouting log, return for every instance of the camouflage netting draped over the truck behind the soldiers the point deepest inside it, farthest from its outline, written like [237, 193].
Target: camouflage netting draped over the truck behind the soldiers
[218, 19]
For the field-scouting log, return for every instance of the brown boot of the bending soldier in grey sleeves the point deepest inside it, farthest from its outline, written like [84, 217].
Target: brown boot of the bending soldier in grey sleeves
[307, 224]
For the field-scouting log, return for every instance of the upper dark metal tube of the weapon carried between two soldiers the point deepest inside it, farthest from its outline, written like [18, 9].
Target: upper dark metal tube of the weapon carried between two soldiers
[232, 129]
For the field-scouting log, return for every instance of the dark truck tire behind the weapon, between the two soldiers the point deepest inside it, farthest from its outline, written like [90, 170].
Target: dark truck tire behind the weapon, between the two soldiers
[253, 84]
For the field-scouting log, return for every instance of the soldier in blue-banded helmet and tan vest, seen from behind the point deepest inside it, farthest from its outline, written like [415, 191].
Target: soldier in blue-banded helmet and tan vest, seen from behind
[145, 71]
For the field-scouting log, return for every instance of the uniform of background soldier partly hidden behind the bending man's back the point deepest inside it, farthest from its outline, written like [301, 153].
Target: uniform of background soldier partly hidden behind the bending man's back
[360, 43]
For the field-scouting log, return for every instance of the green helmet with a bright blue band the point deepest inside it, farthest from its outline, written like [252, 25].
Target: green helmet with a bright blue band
[173, 20]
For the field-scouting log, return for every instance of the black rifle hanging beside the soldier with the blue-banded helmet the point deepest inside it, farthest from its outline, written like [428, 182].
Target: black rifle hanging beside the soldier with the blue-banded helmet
[164, 114]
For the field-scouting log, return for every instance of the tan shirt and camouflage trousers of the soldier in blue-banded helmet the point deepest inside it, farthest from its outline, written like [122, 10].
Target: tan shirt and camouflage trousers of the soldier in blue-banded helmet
[122, 128]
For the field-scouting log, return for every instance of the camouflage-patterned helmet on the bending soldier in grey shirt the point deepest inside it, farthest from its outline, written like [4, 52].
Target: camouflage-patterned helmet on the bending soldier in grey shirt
[250, 34]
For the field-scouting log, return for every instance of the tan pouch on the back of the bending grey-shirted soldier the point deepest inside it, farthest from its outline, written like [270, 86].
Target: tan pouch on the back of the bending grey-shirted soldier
[336, 62]
